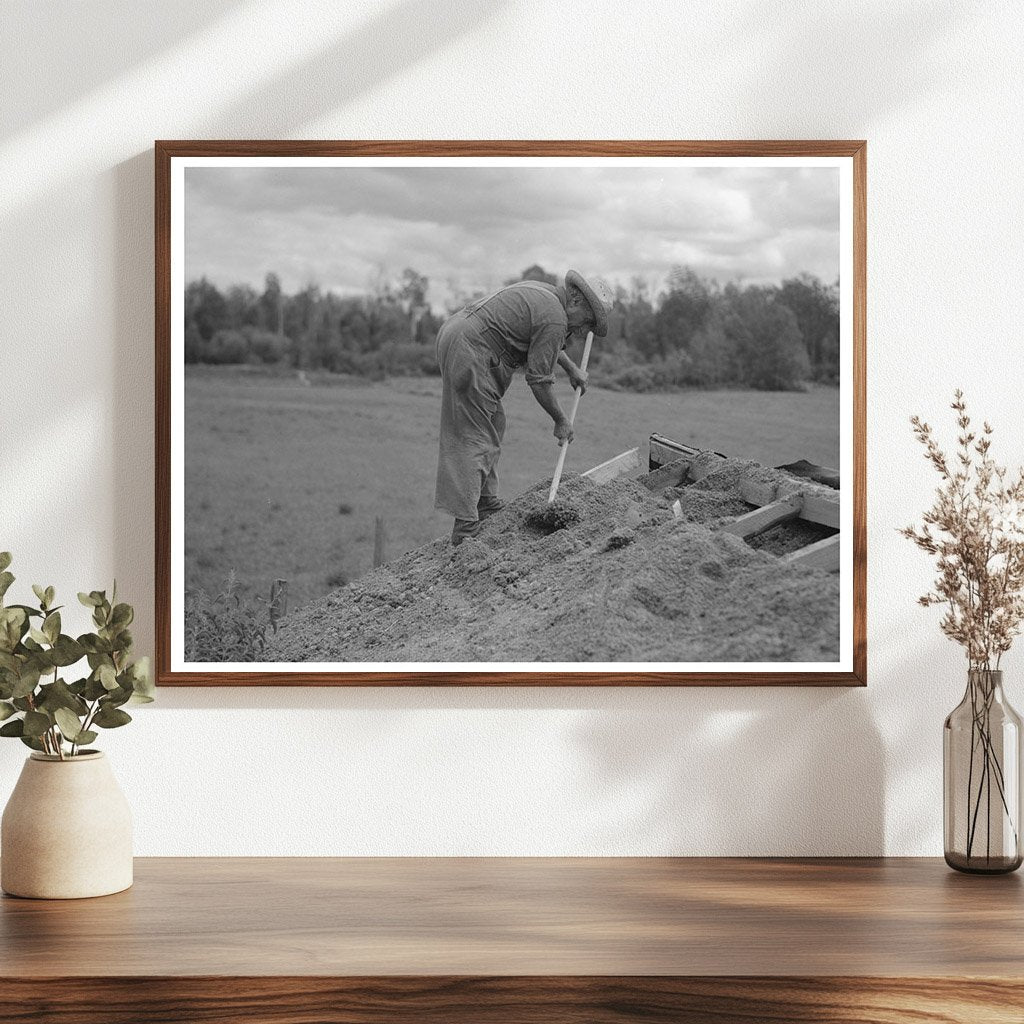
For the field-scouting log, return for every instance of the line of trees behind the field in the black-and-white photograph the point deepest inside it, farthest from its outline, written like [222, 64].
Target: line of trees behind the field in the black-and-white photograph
[693, 333]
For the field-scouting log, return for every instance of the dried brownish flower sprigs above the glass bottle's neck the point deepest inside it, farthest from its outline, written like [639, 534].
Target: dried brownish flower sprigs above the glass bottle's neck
[975, 530]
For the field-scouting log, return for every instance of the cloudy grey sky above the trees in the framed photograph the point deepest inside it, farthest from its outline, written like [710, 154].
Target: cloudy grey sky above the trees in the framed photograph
[471, 229]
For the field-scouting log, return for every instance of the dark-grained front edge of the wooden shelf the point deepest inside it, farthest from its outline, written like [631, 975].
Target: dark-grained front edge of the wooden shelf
[543, 1000]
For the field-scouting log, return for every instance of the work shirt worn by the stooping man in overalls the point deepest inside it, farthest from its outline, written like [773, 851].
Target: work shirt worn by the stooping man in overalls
[529, 321]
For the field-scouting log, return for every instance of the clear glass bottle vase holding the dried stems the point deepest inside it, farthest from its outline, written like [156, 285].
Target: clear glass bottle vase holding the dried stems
[982, 747]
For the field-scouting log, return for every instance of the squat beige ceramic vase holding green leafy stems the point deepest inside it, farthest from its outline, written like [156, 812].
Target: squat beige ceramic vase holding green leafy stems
[67, 831]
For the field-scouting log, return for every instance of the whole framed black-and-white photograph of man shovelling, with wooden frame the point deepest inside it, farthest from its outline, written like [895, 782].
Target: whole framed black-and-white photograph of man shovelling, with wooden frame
[502, 413]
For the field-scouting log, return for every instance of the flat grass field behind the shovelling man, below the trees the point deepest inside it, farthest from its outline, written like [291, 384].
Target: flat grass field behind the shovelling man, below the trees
[285, 481]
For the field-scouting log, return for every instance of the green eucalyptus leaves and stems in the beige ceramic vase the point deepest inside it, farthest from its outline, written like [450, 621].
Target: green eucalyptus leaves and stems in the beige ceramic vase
[46, 712]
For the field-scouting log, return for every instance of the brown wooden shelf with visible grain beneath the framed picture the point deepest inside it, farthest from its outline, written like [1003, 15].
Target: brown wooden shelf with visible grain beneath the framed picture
[503, 941]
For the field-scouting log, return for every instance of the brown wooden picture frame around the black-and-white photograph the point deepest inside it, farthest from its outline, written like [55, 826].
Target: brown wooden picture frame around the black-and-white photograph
[167, 152]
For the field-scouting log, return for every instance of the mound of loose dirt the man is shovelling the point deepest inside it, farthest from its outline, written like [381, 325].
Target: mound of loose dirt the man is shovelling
[627, 581]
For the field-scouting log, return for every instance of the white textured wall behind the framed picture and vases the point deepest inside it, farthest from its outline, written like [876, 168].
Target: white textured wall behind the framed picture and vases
[936, 88]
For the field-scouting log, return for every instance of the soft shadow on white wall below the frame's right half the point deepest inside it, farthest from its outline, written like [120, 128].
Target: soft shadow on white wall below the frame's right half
[739, 773]
